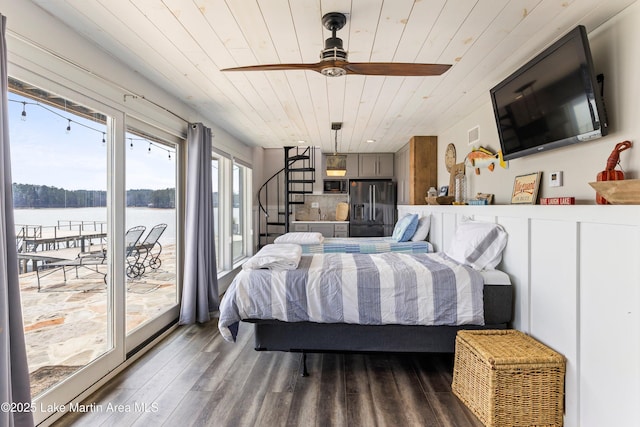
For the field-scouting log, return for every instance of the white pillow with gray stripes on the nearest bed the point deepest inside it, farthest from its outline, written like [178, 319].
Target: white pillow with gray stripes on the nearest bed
[478, 244]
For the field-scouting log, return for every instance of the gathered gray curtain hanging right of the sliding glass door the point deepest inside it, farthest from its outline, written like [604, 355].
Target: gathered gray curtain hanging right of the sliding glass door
[200, 280]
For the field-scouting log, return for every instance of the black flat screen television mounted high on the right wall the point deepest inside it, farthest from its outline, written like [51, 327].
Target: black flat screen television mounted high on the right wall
[551, 101]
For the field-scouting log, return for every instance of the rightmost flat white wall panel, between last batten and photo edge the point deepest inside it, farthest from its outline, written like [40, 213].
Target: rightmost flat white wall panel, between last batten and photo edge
[609, 335]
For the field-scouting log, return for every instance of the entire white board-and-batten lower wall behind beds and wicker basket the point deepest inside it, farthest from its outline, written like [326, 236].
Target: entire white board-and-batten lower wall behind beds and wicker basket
[576, 287]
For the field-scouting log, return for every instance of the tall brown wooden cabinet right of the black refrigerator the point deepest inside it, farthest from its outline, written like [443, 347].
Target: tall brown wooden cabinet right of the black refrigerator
[417, 169]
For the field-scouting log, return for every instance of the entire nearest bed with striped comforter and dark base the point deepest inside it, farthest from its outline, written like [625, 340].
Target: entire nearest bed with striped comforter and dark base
[388, 302]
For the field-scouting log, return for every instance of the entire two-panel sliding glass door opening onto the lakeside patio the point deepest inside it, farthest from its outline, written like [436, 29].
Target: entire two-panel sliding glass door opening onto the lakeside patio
[96, 215]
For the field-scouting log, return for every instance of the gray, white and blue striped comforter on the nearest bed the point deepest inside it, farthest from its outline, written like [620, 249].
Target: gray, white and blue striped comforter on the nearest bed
[372, 289]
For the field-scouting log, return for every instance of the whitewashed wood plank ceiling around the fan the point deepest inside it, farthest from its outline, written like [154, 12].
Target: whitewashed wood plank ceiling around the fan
[181, 45]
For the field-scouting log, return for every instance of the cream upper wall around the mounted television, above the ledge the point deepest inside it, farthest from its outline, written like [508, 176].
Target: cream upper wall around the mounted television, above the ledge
[614, 48]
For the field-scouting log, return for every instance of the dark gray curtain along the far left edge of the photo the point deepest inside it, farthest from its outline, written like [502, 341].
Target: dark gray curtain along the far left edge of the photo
[15, 389]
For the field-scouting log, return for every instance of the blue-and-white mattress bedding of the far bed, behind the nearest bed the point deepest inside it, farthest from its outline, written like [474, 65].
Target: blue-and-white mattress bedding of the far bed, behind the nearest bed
[366, 245]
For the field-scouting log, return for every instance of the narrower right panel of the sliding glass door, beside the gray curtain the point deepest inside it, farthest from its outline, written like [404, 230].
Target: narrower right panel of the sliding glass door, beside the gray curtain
[151, 261]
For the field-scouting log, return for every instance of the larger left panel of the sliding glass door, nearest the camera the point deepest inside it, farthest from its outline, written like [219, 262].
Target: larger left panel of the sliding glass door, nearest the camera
[64, 228]
